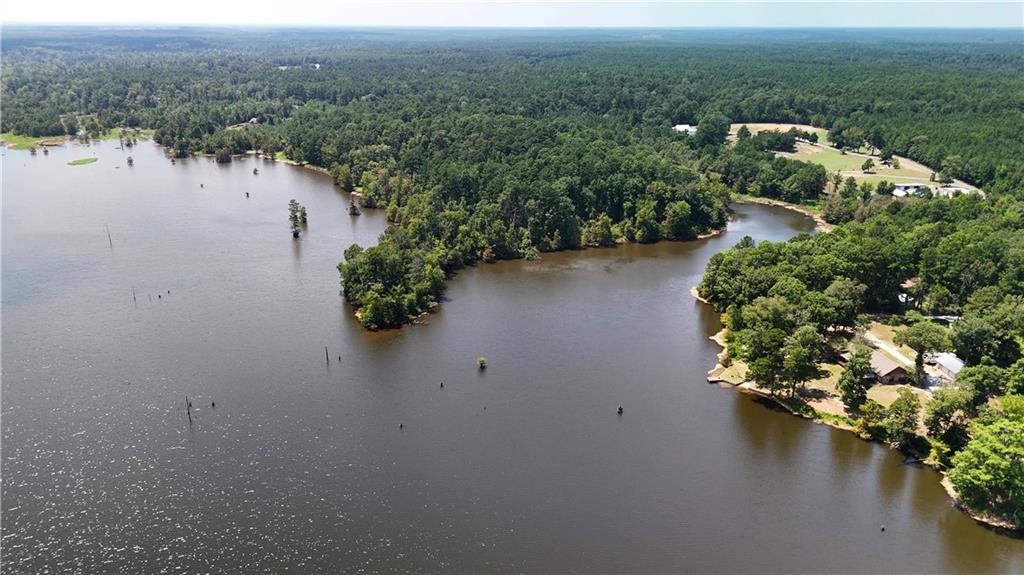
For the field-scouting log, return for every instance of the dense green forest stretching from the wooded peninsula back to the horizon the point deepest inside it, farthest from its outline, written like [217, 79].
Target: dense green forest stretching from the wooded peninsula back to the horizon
[485, 147]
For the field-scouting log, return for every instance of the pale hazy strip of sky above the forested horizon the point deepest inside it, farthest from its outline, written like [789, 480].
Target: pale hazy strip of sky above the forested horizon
[529, 14]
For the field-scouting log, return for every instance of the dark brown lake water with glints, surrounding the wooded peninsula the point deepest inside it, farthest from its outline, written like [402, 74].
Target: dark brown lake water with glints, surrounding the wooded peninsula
[303, 467]
